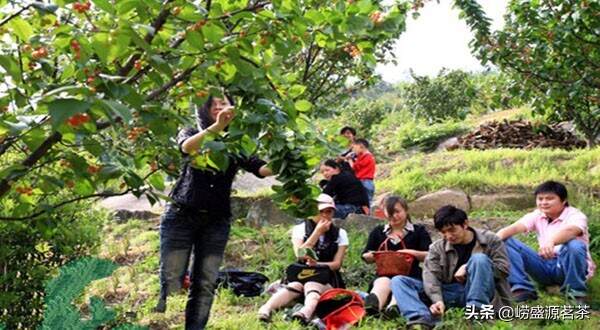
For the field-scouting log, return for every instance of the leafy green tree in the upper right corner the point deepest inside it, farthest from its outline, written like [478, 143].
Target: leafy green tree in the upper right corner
[551, 50]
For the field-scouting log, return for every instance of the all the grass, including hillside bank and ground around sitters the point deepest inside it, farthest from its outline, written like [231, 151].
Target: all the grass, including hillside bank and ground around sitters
[133, 288]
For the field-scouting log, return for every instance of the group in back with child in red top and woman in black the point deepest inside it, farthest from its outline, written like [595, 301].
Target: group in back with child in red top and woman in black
[349, 178]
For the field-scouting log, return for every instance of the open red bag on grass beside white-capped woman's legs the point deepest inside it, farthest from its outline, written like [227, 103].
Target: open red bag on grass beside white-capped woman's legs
[339, 308]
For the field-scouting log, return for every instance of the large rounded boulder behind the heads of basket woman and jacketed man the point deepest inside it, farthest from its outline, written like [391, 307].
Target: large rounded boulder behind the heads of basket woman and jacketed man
[425, 206]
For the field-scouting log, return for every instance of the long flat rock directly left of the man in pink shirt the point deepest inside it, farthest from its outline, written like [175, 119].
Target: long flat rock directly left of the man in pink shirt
[503, 201]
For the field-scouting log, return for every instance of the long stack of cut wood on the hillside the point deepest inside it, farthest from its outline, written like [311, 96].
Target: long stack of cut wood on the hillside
[518, 134]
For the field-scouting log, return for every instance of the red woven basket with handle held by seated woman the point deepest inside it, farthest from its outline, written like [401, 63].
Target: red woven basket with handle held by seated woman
[392, 263]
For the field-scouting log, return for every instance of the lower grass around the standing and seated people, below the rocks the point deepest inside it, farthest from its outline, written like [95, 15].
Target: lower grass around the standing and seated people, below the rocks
[133, 289]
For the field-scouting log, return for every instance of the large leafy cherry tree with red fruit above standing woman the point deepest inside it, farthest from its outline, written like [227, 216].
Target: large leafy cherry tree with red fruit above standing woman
[93, 93]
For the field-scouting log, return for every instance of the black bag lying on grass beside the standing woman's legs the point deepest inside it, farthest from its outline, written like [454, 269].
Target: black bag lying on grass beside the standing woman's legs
[248, 284]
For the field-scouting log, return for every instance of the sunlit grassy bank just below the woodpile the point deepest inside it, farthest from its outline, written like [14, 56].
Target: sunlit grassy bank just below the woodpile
[494, 171]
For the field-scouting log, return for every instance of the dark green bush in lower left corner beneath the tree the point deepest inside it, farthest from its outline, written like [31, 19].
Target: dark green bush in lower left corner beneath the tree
[31, 252]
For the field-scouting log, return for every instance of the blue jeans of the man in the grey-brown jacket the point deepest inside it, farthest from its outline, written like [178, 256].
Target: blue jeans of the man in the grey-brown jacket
[478, 290]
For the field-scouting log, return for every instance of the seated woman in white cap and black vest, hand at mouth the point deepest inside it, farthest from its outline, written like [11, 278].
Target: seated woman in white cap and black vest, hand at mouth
[330, 244]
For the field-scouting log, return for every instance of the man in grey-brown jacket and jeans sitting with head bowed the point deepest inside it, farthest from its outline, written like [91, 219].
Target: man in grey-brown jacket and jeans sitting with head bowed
[466, 267]
